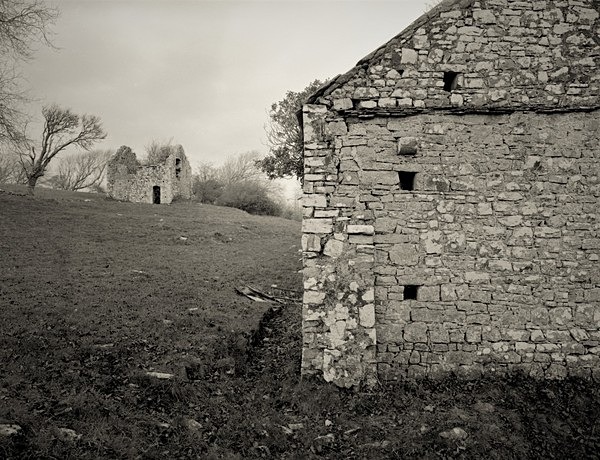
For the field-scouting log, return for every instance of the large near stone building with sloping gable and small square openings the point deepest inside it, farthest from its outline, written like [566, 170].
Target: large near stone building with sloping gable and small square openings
[452, 199]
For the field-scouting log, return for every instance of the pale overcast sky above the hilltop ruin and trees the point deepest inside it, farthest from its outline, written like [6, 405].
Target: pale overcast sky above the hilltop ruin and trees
[203, 73]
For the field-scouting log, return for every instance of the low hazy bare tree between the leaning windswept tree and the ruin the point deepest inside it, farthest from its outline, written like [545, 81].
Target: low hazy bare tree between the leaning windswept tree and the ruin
[81, 170]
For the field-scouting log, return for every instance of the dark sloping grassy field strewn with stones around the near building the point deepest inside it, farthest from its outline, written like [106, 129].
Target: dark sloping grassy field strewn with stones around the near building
[94, 294]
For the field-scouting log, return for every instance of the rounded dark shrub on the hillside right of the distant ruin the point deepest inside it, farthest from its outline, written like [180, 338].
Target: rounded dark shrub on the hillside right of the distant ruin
[251, 197]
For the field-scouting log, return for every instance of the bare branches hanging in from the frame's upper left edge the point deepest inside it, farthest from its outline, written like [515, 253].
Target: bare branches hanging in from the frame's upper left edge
[22, 23]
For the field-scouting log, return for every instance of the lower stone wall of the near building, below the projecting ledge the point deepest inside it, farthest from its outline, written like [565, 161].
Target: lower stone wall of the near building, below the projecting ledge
[500, 235]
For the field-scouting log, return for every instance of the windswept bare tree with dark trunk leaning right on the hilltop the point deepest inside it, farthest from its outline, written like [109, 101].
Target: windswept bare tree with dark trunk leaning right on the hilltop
[62, 129]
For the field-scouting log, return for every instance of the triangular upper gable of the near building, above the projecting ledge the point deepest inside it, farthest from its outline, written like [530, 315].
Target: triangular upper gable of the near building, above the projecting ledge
[506, 54]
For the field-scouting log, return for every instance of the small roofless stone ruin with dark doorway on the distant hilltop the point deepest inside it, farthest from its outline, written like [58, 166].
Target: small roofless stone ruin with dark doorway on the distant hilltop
[164, 178]
